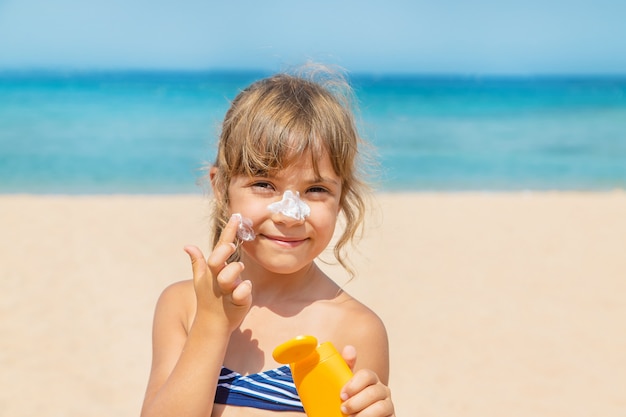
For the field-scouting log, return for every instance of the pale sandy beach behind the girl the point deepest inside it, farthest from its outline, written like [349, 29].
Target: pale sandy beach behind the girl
[497, 304]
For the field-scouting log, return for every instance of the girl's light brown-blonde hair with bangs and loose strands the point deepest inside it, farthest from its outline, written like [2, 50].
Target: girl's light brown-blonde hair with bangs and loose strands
[277, 119]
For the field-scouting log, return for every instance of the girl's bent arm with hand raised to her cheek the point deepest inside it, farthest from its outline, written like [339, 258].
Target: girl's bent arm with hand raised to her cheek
[186, 365]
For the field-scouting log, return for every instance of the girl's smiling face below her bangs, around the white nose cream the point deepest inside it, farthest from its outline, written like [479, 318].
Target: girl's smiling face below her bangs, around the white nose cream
[283, 244]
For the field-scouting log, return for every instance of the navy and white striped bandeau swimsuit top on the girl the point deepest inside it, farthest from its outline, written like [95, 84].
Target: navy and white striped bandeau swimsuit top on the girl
[268, 390]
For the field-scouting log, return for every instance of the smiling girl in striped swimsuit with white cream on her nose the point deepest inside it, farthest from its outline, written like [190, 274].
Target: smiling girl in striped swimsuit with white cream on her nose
[286, 169]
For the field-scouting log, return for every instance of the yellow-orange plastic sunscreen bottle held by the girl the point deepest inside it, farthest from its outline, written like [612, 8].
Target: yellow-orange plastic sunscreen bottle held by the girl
[319, 372]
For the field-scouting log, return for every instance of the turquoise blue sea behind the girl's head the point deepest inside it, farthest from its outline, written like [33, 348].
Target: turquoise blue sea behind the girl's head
[152, 132]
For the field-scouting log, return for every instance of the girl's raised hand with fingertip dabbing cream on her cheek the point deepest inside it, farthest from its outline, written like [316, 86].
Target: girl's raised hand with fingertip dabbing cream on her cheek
[222, 297]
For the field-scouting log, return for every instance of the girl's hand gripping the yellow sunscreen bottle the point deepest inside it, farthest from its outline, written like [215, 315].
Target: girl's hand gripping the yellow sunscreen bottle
[365, 395]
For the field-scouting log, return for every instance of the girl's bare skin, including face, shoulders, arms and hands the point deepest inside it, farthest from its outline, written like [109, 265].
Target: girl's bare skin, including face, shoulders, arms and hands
[234, 314]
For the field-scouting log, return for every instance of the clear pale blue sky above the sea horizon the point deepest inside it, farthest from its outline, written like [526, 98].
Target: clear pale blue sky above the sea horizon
[469, 37]
